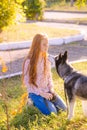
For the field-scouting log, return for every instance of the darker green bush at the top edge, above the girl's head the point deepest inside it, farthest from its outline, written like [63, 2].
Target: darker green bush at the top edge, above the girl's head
[34, 9]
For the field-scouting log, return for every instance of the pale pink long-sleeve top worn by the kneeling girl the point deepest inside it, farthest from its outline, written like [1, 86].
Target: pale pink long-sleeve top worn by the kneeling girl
[44, 82]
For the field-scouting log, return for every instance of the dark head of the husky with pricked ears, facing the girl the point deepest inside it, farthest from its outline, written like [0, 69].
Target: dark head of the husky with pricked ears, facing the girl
[62, 65]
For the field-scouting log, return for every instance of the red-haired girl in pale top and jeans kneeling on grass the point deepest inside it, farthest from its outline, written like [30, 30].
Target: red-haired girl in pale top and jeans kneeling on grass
[38, 79]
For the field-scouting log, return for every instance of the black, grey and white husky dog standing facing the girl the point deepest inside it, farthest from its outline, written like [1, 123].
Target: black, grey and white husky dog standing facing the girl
[75, 83]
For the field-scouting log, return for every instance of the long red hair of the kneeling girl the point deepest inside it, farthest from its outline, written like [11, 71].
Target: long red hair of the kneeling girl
[33, 55]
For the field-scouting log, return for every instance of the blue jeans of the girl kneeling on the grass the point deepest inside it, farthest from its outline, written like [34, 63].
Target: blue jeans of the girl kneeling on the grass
[46, 106]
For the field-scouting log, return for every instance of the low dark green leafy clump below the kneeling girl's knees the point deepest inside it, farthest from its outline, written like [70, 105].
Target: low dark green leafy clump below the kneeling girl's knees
[27, 119]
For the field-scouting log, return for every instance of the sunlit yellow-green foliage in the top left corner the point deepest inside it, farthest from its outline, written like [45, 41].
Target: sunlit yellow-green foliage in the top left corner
[10, 13]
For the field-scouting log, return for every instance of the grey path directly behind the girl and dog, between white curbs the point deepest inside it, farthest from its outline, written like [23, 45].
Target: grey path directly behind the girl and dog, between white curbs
[14, 58]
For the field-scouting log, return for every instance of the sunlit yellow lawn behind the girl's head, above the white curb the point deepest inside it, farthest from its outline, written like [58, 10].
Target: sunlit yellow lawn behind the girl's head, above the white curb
[26, 31]
